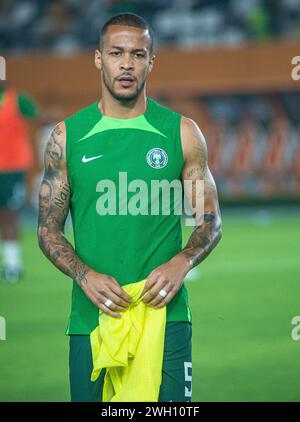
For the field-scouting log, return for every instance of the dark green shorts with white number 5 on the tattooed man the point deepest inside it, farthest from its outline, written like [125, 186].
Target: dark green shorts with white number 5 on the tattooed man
[176, 383]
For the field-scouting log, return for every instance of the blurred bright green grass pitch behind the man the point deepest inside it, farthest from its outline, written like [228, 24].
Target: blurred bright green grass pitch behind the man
[243, 298]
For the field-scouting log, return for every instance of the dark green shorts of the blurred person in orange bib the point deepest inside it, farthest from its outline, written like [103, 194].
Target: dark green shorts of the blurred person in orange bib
[12, 190]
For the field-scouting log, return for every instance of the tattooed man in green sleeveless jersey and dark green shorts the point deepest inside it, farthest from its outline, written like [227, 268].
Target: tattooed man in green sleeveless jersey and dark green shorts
[125, 132]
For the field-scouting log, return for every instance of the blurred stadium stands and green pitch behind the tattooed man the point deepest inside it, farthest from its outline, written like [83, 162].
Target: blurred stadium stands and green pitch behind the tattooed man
[227, 64]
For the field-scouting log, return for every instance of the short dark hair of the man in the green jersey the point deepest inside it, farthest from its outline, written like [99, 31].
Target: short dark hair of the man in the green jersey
[127, 19]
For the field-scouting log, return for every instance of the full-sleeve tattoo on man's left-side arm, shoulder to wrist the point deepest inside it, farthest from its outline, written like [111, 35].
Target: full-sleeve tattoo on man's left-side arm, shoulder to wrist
[54, 203]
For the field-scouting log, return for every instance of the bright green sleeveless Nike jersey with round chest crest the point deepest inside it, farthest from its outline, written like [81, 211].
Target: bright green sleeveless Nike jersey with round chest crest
[120, 229]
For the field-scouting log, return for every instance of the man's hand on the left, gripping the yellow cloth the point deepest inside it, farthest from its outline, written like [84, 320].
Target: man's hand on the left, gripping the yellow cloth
[101, 287]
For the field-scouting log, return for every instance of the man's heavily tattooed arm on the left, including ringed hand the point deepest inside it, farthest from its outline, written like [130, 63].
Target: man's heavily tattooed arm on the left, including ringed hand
[54, 204]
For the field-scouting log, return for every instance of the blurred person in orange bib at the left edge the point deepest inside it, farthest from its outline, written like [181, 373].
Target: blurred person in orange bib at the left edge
[16, 158]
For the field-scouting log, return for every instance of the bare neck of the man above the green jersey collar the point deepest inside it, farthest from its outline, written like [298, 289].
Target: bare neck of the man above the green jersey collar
[111, 107]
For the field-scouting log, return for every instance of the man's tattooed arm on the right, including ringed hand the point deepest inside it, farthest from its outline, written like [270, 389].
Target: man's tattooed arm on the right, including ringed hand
[207, 233]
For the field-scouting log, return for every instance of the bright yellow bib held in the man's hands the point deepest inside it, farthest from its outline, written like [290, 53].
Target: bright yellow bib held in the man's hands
[131, 349]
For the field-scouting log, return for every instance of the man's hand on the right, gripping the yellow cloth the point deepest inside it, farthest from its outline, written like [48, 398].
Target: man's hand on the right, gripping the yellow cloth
[168, 277]
